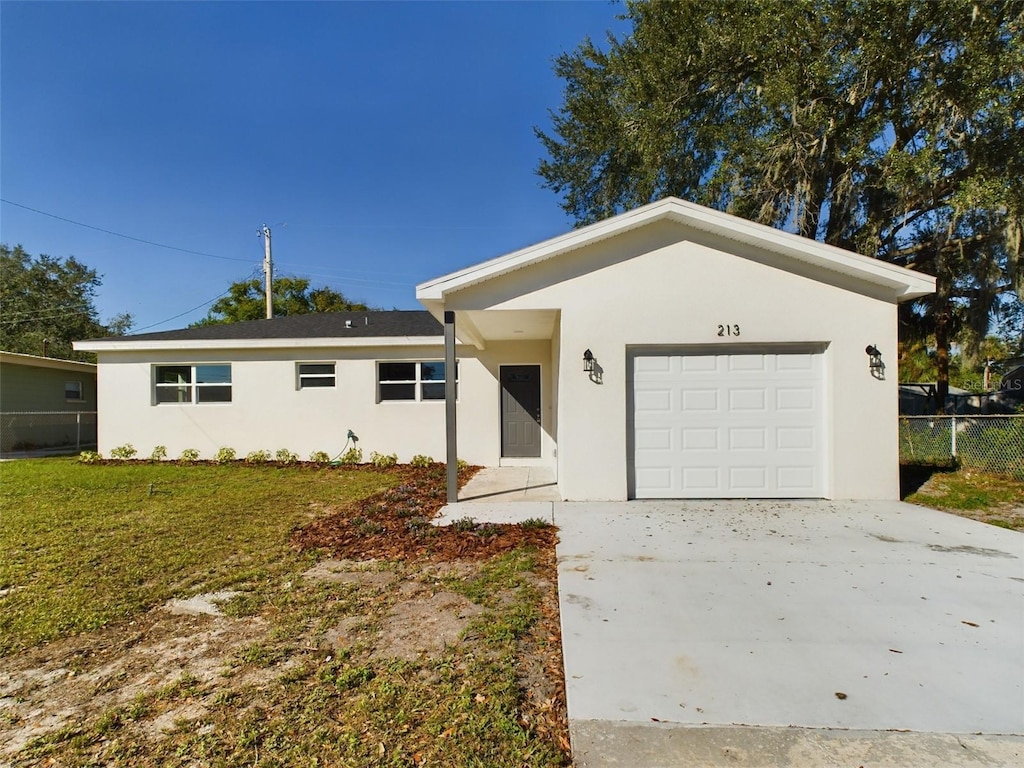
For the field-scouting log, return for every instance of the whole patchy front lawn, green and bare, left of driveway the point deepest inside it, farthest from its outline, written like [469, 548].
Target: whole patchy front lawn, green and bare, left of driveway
[89, 553]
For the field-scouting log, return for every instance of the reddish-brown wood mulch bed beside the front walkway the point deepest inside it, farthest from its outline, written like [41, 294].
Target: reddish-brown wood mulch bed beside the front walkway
[396, 525]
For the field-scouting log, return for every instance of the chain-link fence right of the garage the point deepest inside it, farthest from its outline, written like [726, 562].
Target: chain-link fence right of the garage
[993, 444]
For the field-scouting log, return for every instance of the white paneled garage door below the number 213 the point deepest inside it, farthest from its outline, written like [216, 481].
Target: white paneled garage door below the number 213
[719, 426]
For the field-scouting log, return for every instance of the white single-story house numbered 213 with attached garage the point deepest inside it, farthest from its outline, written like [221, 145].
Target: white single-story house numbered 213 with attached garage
[728, 360]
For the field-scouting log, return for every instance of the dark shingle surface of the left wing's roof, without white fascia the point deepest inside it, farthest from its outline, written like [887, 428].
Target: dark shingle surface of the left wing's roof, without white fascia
[317, 326]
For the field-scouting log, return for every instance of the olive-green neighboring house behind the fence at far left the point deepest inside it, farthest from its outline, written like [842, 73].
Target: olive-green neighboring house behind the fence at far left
[41, 400]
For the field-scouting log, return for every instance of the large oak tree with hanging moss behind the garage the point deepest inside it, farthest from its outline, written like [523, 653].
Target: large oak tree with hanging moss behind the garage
[891, 129]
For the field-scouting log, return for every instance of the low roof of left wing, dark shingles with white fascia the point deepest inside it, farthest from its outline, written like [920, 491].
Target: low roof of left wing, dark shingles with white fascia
[329, 328]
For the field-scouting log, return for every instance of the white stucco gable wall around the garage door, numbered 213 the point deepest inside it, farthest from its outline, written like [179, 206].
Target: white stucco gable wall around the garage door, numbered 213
[677, 292]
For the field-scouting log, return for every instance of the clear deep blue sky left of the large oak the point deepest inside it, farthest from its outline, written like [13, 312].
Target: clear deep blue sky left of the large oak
[385, 144]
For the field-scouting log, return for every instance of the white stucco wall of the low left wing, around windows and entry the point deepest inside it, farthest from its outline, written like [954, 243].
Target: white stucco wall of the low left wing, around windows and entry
[269, 412]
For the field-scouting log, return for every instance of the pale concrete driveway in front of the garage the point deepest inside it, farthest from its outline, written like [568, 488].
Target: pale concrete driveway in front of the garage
[790, 633]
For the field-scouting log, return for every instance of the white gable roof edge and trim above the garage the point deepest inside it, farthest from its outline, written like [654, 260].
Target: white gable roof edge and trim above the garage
[905, 284]
